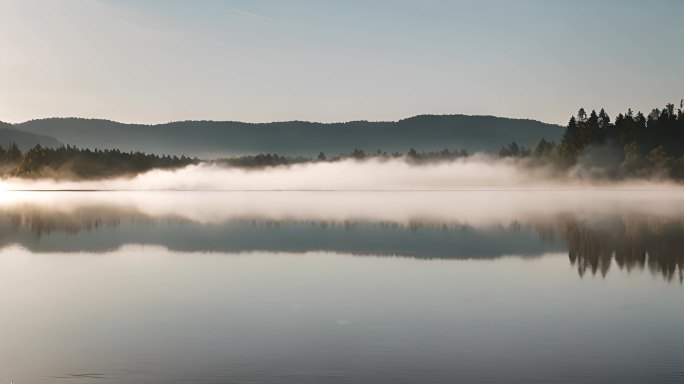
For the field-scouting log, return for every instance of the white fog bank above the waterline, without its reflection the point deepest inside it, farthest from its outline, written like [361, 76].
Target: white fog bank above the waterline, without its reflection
[475, 172]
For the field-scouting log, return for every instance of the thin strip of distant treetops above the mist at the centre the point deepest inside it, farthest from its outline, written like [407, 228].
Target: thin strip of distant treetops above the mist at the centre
[269, 160]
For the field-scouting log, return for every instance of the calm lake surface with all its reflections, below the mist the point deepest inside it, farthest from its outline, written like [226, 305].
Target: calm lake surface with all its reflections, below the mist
[478, 286]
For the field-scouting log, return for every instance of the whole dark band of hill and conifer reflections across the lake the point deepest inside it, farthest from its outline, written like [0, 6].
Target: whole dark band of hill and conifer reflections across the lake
[594, 245]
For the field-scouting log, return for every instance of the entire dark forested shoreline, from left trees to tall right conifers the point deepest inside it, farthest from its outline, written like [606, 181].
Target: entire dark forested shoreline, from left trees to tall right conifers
[634, 145]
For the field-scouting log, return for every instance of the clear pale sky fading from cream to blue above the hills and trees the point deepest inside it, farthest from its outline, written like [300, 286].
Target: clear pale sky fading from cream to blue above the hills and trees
[265, 60]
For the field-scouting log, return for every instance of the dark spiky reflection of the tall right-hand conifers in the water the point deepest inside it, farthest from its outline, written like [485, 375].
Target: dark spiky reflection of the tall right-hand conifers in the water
[630, 243]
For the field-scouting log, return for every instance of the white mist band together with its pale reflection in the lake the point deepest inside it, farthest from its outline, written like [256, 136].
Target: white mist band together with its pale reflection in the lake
[490, 191]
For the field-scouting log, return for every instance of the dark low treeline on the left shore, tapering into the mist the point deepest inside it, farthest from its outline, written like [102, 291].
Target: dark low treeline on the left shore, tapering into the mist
[73, 163]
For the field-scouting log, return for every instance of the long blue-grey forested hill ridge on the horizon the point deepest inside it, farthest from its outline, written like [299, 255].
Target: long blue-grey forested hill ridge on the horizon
[227, 138]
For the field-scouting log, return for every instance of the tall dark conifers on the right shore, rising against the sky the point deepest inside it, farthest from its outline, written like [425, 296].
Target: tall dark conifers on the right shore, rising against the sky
[633, 145]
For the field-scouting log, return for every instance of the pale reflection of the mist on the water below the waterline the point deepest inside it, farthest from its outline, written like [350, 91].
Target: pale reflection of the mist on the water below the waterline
[475, 208]
